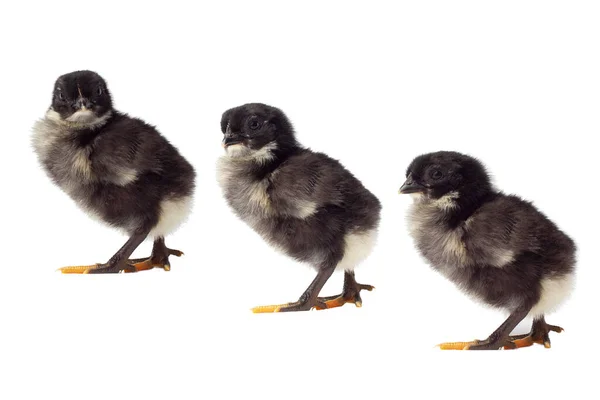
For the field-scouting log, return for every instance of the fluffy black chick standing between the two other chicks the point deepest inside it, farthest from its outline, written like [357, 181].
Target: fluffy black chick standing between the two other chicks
[302, 202]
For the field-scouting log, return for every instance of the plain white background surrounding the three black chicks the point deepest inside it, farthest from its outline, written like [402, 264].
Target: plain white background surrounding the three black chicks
[515, 83]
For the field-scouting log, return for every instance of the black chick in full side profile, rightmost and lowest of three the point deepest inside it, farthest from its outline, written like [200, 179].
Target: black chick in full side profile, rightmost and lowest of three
[498, 248]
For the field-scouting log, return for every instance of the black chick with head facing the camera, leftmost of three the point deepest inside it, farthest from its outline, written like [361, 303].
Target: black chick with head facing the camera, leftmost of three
[116, 168]
